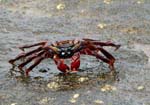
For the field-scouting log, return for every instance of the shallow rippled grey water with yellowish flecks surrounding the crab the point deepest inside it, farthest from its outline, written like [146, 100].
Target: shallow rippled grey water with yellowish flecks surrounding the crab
[124, 22]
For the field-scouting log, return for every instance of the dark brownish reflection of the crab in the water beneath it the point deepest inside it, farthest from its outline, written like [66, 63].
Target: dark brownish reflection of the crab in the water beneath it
[59, 82]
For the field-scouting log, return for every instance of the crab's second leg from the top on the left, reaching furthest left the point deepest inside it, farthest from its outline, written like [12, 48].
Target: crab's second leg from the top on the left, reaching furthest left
[25, 54]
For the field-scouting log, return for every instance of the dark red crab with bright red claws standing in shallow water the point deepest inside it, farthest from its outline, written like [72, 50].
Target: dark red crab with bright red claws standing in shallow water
[66, 49]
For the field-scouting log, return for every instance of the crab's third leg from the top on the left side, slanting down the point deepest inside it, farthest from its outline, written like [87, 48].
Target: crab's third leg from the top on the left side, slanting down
[29, 60]
